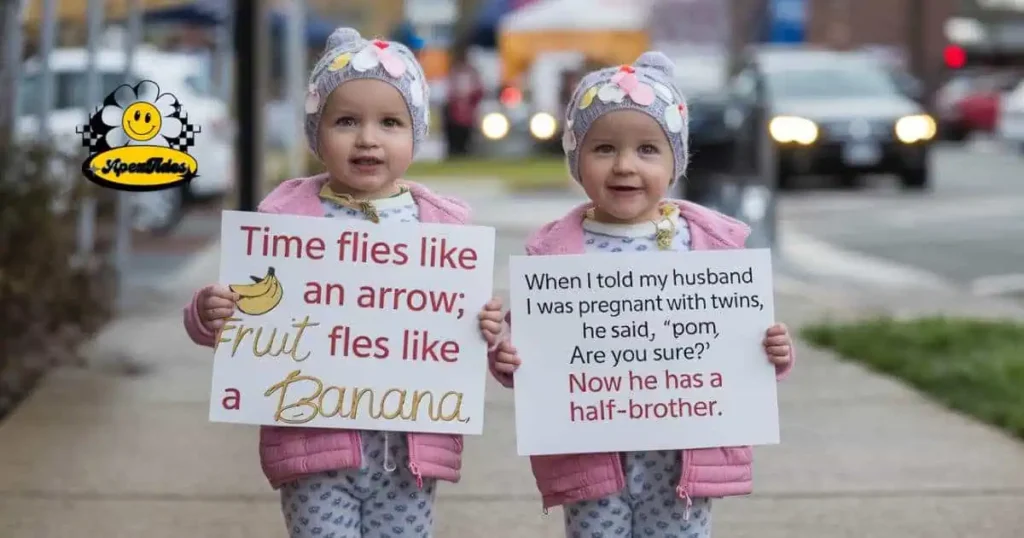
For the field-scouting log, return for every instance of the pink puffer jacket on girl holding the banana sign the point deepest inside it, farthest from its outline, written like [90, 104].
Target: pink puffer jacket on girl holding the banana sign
[289, 453]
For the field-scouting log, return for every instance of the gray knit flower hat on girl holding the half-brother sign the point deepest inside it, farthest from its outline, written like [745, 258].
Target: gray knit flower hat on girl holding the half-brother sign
[646, 87]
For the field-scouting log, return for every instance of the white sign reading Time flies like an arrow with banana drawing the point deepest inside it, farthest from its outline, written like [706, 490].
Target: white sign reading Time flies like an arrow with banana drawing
[353, 325]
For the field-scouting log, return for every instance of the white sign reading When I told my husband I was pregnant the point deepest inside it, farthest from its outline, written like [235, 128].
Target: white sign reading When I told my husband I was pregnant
[644, 352]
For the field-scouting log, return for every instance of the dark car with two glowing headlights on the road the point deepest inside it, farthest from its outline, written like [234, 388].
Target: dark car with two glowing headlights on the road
[829, 113]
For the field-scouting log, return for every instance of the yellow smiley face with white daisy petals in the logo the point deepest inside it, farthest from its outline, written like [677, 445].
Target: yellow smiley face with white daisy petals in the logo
[141, 116]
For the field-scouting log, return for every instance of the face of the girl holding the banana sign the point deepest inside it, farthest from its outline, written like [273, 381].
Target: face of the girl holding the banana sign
[366, 138]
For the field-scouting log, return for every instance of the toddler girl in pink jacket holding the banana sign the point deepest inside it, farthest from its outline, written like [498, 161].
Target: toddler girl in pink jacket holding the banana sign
[366, 115]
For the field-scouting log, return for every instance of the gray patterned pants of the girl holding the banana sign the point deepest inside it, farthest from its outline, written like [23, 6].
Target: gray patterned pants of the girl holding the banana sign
[380, 501]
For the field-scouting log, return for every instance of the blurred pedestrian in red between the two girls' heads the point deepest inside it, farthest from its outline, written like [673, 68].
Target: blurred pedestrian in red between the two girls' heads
[465, 92]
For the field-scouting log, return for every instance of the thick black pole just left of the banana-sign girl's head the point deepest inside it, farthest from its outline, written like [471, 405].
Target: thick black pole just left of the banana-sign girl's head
[249, 89]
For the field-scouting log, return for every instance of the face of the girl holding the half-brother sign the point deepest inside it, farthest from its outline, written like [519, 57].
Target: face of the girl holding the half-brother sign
[626, 165]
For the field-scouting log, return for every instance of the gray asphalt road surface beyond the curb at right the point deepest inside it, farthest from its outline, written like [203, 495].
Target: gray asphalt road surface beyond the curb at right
[961, 234]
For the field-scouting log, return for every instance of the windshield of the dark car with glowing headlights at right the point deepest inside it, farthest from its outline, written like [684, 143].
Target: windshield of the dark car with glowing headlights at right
[831, 82]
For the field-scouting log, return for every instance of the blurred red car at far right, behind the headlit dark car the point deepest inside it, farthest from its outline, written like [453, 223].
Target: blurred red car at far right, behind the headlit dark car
[969, 103]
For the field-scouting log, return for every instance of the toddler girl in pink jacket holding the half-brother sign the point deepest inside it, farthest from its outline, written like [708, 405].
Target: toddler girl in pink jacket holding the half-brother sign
[626, 138]
